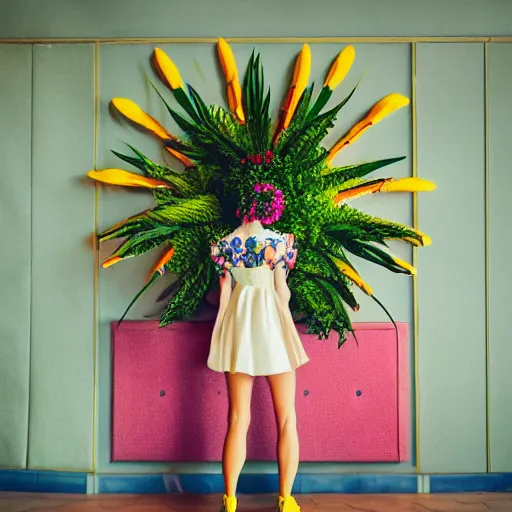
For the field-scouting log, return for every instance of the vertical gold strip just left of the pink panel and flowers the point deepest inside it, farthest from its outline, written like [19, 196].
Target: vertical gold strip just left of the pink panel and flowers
[96, 263]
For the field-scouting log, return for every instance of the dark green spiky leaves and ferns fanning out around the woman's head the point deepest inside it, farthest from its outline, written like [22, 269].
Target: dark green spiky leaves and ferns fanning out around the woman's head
[199, 207]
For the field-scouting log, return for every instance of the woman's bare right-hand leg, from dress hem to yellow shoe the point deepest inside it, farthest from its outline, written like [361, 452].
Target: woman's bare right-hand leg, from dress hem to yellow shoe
[283, 388]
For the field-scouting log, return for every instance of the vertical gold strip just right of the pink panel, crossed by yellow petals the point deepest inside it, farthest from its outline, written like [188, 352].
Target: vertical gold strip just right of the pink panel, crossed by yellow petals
[414, 130]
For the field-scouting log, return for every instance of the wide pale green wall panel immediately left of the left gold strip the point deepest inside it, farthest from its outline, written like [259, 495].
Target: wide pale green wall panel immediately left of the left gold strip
[61, 390]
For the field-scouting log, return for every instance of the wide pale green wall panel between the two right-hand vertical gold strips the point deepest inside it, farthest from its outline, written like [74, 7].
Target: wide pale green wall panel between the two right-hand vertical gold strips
[451, 282]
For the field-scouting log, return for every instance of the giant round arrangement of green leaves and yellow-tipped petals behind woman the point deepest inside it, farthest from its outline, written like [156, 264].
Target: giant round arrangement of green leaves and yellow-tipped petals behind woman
[225, 153]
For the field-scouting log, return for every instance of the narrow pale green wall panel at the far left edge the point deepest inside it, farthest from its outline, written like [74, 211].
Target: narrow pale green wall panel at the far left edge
[15, 236]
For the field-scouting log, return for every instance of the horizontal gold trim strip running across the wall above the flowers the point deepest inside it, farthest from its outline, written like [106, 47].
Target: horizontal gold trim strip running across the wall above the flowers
[281, 40]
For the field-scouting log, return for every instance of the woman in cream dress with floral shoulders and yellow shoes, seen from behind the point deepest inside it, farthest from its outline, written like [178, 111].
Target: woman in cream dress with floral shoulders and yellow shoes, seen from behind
[254, 335]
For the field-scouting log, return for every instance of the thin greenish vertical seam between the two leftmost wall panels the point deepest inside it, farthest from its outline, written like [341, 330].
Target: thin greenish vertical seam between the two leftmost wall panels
[31, 245]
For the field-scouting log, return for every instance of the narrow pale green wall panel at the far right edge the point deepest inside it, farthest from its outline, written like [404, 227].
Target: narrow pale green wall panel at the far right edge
[499, 66]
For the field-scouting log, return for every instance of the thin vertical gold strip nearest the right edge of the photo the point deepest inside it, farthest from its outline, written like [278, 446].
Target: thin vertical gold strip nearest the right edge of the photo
[487, 269]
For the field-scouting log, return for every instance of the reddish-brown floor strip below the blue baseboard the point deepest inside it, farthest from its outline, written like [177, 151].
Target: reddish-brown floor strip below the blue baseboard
[15, 502]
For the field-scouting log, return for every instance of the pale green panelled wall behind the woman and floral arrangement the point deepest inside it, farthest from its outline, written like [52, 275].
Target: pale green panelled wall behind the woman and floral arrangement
[46, 271]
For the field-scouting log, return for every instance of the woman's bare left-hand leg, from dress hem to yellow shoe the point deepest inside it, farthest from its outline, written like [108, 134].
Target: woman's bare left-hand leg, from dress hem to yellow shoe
[235, 444]
